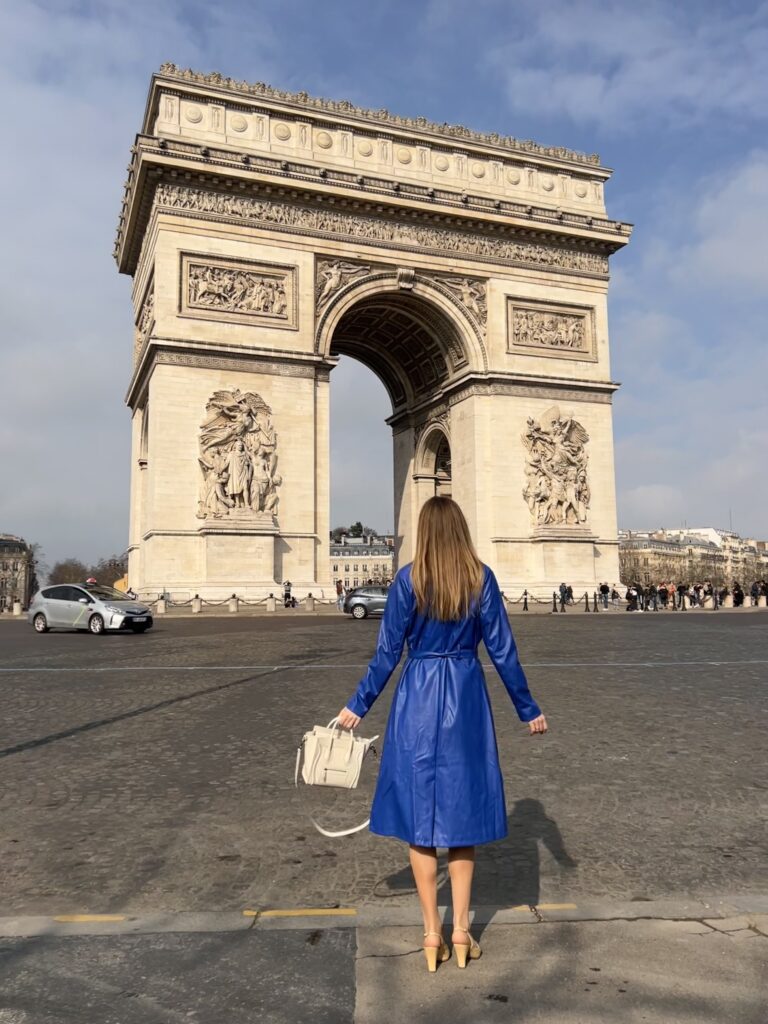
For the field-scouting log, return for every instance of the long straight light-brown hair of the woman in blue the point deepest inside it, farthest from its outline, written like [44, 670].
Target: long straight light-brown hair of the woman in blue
[447, 573]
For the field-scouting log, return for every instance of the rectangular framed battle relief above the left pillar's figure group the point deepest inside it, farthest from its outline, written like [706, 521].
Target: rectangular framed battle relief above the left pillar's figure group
[238, 291]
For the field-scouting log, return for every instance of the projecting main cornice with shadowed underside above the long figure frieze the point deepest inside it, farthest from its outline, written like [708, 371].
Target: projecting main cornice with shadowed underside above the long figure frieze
[500, 220]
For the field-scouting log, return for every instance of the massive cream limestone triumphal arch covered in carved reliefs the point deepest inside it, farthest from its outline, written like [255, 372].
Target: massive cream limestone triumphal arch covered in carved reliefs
[269, 233]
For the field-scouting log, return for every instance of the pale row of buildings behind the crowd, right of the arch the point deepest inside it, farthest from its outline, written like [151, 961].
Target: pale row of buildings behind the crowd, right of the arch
[691, 556]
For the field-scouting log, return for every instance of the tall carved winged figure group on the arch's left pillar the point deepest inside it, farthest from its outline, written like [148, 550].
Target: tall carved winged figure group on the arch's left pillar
[238, 458]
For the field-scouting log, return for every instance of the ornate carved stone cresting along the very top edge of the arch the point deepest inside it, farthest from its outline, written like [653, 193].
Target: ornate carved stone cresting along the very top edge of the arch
[304, 103]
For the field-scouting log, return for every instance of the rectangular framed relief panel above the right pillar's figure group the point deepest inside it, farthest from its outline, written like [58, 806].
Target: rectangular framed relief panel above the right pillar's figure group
[551, 329]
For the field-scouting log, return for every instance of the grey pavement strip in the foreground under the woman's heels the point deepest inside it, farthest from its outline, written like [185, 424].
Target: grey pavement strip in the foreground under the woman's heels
[562, 965]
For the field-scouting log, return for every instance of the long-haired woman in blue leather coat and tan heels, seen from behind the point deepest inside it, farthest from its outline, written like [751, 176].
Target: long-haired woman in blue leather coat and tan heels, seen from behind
[440, 783]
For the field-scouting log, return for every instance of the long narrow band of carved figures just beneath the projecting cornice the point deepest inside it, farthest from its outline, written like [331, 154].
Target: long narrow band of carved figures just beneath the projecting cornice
[383, 232]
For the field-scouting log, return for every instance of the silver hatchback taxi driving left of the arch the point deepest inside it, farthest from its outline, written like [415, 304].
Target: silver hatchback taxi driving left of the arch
[87, 607]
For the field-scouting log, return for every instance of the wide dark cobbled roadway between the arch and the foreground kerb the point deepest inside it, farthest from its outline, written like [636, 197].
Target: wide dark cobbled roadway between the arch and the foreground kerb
[156, 773]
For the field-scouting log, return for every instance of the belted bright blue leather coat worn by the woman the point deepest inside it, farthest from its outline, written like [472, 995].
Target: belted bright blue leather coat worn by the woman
[440, 782]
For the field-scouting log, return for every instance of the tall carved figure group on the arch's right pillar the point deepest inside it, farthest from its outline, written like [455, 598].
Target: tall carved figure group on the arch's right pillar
[557, 490]
